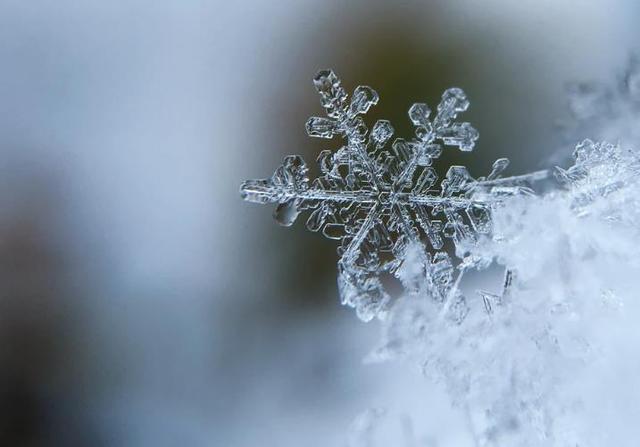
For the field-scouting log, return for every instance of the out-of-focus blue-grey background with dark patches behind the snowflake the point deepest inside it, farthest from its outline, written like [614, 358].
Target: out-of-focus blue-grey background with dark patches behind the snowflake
[142, 303]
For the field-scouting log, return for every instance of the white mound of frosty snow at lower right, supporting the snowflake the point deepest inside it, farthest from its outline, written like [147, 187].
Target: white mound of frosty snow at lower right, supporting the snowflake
[550, 359]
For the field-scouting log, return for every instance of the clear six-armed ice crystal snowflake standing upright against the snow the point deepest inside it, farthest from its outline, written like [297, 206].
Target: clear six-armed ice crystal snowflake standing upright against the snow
[381, 201]
